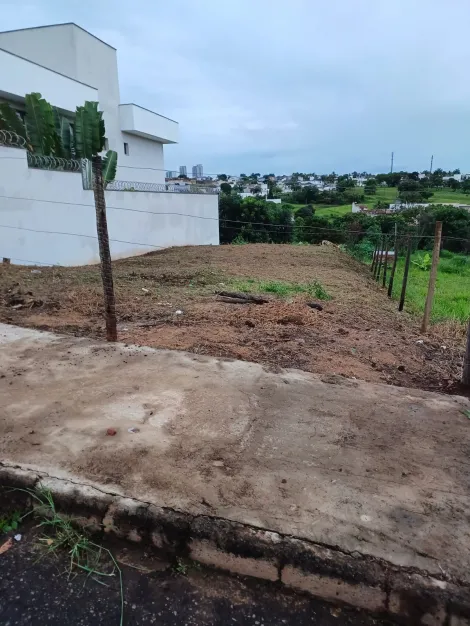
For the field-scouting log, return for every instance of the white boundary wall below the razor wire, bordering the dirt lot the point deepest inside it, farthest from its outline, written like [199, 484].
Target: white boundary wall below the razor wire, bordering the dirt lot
[41, 200]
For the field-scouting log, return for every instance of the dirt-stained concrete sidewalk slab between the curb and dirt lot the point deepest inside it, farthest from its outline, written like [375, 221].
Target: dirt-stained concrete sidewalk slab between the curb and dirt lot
[365, 468]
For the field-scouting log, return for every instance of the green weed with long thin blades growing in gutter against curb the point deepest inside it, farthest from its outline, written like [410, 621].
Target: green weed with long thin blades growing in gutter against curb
[63, 534]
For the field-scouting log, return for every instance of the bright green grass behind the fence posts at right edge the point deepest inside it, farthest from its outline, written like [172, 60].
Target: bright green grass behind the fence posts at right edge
[451, 299]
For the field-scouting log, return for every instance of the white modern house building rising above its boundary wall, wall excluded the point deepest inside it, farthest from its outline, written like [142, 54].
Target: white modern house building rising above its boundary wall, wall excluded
[68, 66]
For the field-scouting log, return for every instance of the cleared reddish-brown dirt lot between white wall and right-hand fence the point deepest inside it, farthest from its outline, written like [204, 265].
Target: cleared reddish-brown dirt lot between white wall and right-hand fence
[359, 332]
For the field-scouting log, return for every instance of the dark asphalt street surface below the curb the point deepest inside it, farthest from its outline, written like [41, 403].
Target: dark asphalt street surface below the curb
[37, 592]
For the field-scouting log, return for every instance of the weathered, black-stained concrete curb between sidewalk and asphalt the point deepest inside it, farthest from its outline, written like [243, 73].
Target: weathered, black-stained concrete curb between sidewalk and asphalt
[358, 580]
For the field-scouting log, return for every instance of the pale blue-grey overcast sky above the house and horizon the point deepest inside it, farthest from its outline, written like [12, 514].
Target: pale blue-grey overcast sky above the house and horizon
[285, 85]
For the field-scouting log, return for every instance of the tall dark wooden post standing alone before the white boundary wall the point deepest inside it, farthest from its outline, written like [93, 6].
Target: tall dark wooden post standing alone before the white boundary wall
[105, 254]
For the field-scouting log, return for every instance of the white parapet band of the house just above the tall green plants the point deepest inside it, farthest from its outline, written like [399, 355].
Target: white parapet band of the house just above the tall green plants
[19, 77]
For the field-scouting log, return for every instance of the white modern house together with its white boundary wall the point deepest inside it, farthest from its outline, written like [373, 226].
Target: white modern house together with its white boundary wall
[47, 211]
